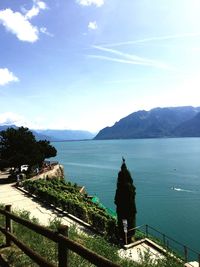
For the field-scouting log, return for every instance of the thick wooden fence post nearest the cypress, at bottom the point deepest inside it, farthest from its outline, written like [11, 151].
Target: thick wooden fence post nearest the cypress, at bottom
[62, 249]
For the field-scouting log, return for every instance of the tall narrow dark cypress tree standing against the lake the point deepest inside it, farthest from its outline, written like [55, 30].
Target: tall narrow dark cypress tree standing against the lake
[125, 202]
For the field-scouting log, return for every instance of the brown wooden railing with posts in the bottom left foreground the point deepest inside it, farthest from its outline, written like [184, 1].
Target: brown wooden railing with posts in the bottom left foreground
[60, 237]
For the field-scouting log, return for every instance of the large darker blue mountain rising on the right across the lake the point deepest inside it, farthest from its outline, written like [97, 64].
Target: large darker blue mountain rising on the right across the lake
[156, 123]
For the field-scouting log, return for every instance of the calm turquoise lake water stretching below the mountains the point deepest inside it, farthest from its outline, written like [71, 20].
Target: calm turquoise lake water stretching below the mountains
[156, 165]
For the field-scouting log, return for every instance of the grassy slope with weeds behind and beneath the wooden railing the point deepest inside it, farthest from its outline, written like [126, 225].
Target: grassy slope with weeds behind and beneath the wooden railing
[48, 249]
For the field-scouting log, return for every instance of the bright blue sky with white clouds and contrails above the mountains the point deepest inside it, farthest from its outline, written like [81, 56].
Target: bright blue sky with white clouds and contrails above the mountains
[85, 64]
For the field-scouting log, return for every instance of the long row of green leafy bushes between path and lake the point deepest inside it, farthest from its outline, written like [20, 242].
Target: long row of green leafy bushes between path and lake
[66, 196]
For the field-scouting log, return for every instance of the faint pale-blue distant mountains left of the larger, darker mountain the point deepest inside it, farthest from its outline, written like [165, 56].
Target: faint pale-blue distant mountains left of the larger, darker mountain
[56, 135]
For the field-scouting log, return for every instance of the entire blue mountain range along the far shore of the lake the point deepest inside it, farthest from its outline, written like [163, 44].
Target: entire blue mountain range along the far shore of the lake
[155, 123]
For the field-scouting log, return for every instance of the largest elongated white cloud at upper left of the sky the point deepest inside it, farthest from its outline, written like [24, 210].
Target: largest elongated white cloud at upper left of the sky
[16, 23]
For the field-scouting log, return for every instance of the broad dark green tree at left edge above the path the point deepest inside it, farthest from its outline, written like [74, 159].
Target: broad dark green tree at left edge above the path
[19, 147]
